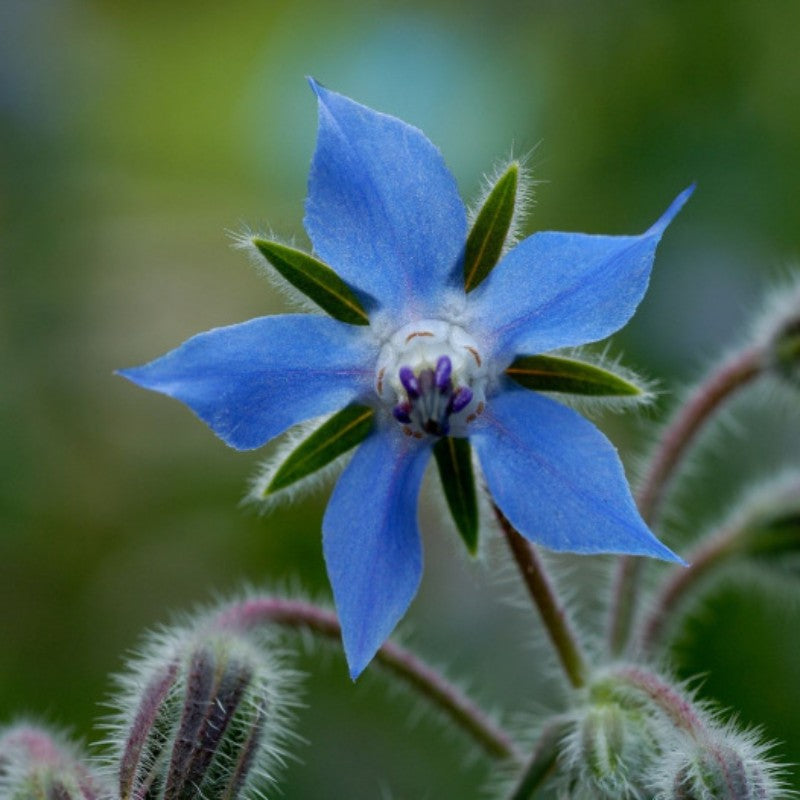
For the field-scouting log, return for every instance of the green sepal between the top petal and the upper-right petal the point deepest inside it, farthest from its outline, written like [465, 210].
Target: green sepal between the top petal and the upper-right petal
[488, 235]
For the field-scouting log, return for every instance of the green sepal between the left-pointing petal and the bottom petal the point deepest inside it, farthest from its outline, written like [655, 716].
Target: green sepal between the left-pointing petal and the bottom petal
[343, 431]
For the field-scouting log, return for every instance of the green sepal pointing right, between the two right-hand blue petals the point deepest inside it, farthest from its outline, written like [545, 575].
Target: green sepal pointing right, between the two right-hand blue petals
[569, 375]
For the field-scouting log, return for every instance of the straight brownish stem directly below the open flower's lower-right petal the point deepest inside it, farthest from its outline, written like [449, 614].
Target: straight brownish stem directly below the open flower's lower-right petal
[544, 597]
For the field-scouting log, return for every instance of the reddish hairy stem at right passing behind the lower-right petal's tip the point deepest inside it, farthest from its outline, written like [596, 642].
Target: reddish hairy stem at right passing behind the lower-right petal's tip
[709, 396]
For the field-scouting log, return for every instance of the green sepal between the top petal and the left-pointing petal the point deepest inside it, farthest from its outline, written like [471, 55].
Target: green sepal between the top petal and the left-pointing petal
[315, 280]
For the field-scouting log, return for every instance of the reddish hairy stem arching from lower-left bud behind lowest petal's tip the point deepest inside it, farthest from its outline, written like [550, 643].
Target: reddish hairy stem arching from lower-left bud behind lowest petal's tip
[299, 615]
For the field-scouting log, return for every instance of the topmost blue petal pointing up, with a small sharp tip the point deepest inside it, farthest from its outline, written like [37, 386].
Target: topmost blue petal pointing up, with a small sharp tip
[383, 209]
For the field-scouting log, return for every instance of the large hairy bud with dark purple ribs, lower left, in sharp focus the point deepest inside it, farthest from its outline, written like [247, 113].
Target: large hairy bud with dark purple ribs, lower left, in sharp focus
[202, 715]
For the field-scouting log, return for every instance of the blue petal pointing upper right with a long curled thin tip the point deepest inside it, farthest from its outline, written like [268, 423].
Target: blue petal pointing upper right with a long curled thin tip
[564, 289]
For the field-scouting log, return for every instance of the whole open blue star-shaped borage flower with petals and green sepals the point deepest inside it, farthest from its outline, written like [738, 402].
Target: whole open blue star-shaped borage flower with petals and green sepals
[434, 341]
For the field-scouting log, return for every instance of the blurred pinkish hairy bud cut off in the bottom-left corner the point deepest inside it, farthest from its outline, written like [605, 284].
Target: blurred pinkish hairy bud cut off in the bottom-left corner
[38, 765]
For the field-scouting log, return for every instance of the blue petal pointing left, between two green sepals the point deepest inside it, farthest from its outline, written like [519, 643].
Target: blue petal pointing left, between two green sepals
[250, 382]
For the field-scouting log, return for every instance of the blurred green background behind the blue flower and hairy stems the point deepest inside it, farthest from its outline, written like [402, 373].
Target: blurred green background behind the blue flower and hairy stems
[133, 135]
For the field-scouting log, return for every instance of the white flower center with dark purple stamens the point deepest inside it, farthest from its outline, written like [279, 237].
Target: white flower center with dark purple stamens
[432, 377]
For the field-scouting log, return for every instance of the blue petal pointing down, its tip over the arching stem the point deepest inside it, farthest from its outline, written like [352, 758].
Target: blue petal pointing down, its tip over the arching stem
[371, 541]
